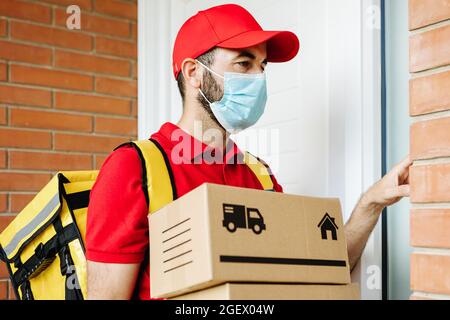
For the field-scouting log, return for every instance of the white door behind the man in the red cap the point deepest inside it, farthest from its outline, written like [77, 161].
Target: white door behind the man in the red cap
[321, 130]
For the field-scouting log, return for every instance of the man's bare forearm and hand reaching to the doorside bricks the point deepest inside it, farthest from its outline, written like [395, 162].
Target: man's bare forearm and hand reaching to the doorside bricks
[389, 190]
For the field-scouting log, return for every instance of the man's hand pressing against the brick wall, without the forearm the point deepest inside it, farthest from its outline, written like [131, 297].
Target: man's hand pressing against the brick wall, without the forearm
[391, 189]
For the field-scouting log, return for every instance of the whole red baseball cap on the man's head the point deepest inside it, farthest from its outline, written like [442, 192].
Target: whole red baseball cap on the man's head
[233, 27]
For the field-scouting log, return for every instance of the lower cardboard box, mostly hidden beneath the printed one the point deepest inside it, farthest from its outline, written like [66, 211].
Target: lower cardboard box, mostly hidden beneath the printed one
[264, 291]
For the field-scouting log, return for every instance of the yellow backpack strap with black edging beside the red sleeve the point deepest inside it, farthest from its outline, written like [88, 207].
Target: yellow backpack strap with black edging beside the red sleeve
[158, 183]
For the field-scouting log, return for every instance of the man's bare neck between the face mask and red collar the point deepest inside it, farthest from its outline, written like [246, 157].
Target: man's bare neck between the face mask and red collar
[200, 125]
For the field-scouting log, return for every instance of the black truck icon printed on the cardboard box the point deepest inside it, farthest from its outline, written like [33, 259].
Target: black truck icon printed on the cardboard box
[239, 217]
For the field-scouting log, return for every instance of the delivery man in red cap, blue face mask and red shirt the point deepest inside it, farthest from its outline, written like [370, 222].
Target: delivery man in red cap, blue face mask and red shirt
[219, 59]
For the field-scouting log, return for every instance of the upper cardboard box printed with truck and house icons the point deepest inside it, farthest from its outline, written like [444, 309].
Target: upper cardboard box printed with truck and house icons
[218, 234]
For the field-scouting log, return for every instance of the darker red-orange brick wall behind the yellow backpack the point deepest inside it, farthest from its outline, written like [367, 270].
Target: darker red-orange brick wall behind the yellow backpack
[67, 97]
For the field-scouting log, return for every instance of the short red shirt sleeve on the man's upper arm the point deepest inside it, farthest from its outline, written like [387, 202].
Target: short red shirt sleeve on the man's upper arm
[117, 225]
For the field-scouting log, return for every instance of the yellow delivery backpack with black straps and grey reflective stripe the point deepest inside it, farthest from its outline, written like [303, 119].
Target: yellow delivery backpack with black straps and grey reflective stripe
[43, 247]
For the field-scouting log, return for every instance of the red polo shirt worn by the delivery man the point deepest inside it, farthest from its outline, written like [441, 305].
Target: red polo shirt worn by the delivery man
[117, 225]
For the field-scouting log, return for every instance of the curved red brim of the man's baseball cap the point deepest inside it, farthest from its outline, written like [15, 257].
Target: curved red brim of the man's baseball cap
[282, 46]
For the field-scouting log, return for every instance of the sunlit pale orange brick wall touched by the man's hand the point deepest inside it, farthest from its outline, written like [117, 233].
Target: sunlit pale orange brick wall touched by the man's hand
[430, 148]
